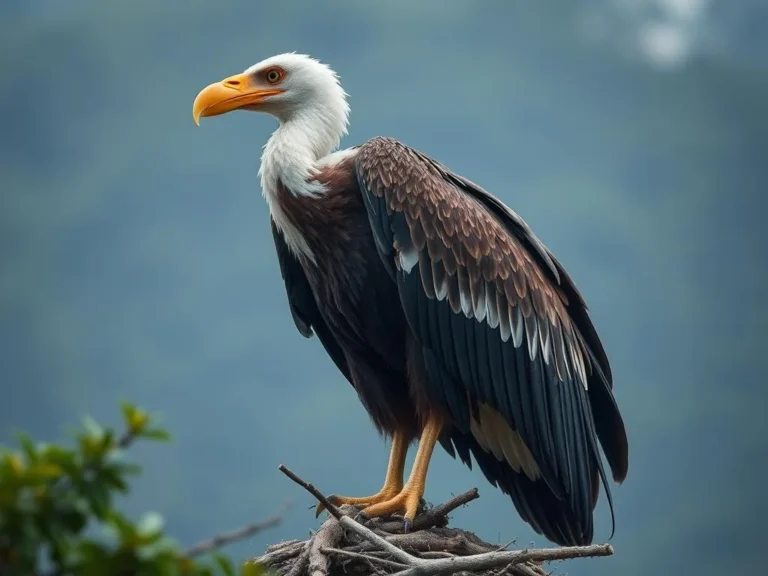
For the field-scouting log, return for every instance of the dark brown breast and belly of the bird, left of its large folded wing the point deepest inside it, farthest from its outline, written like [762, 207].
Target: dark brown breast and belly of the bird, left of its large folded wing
[342, 292]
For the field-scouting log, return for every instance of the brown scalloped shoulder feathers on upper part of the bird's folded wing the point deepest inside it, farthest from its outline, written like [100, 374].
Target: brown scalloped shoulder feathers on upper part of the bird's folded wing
[459, 226]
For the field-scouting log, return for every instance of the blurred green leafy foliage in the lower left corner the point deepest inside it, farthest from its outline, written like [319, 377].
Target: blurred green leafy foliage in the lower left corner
[57, 513]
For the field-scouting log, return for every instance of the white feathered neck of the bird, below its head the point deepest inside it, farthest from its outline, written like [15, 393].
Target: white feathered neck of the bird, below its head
[293, 156]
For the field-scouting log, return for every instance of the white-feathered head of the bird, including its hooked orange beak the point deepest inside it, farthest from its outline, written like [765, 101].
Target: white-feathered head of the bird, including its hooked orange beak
[294, 88]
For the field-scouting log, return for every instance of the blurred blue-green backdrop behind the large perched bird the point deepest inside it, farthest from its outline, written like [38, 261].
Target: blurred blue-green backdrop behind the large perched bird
[136, 261]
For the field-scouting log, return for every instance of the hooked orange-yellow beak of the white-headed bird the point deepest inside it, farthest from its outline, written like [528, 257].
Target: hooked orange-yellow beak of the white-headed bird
[230, 94]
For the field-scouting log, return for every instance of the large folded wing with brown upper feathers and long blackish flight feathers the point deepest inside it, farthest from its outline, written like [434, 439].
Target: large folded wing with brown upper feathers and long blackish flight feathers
[484, 299]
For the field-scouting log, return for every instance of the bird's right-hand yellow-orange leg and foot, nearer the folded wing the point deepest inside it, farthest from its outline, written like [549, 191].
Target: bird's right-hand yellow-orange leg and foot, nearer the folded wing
[408, 499]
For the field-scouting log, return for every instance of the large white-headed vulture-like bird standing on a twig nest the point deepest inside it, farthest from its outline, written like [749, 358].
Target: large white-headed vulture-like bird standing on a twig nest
[454, 324]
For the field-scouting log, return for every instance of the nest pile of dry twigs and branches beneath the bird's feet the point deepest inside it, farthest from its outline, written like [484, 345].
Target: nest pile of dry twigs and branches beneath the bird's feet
[378, 547]
